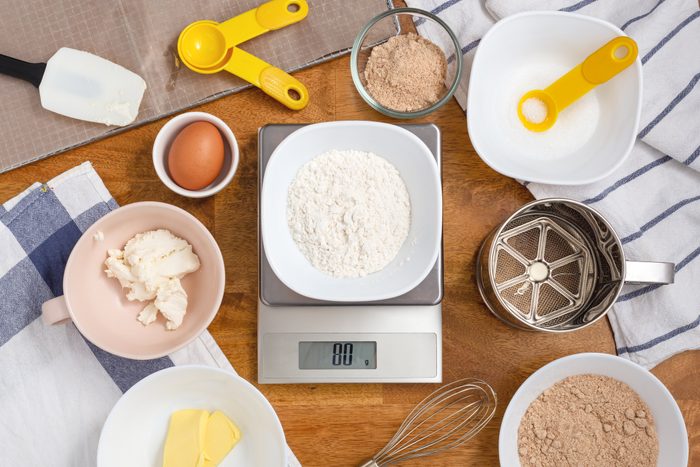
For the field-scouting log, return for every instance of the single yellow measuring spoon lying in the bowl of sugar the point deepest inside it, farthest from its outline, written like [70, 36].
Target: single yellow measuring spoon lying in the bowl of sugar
[538, 109]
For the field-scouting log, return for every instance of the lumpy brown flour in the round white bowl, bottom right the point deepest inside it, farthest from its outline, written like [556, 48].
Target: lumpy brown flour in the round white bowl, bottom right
[588, 420]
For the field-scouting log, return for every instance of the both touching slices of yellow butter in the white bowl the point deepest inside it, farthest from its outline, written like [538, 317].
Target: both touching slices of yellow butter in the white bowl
[199, 439]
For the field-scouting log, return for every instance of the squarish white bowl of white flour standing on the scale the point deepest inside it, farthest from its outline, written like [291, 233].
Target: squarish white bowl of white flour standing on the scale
[417, 167]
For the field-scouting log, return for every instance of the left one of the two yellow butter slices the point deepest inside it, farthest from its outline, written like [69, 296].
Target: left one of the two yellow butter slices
[184, 445]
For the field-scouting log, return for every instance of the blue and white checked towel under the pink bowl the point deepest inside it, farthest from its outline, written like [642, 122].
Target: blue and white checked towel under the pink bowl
[56, 388]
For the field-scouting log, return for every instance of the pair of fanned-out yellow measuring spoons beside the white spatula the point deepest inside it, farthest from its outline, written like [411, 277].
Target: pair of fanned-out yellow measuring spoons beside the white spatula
[209, 47]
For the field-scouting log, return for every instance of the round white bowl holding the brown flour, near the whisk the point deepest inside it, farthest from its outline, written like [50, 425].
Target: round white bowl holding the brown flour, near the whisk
[670, 427]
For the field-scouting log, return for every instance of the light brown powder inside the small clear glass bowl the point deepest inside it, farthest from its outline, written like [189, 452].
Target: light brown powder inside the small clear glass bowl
[406, 73]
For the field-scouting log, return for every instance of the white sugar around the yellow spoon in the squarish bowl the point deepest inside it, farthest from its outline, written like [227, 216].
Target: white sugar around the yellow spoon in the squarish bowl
[574, 127]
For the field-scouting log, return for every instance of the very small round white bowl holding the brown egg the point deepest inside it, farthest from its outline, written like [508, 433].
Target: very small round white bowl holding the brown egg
[166, 136]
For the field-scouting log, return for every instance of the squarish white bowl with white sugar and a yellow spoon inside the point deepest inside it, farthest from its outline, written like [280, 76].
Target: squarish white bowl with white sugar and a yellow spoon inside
[514, 46]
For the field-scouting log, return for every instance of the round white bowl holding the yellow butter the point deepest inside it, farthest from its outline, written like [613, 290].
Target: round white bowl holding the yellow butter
[135, 430]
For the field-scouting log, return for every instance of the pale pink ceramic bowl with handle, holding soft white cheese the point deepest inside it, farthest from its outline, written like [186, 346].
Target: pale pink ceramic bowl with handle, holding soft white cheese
[98, 305]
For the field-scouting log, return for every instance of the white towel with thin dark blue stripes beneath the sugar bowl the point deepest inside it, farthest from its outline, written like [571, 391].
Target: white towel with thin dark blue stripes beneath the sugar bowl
[653, 200]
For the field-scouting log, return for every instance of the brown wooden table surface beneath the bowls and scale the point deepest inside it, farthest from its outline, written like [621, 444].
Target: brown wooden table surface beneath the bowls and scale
[344, 424]
